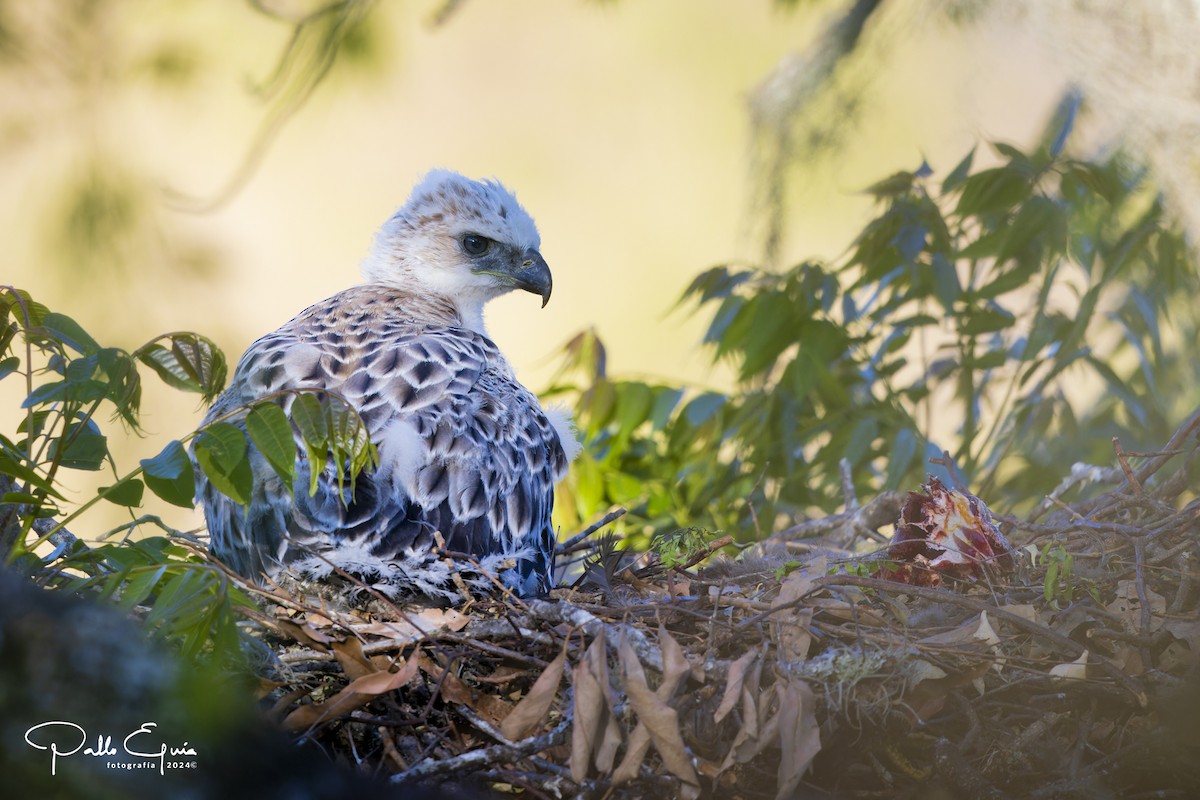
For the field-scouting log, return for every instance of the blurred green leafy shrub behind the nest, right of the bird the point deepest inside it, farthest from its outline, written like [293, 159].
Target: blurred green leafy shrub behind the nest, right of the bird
[1018, 317]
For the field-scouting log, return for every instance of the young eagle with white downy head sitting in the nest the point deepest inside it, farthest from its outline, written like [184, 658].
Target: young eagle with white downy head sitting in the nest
[465, 450]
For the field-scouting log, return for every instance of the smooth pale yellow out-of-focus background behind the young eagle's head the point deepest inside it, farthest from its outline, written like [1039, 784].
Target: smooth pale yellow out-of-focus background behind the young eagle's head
[623, 129]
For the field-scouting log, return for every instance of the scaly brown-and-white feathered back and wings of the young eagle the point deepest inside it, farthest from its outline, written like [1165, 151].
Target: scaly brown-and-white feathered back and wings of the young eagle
[465, 449]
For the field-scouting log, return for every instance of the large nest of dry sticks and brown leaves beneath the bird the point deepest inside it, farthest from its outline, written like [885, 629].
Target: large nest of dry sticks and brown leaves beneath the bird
[1061, 664]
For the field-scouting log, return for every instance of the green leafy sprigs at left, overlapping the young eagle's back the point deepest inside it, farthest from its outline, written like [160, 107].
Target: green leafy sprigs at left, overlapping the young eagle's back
[69, 380]
